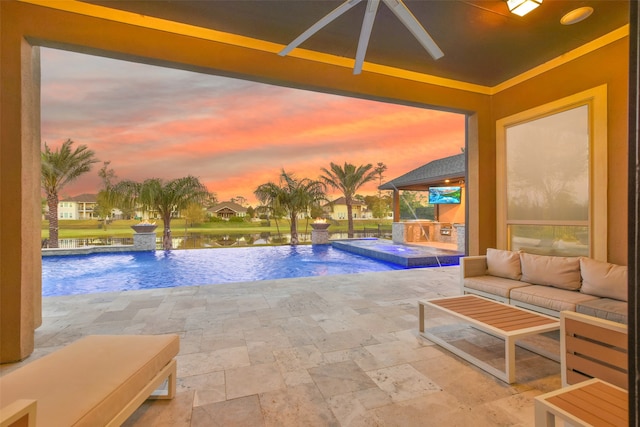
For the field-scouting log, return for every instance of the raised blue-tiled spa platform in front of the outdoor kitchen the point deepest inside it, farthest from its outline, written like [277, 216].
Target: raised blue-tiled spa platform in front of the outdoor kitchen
[406, 255]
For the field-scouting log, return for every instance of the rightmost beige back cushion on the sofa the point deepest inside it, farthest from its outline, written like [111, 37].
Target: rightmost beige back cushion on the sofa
[603, 279]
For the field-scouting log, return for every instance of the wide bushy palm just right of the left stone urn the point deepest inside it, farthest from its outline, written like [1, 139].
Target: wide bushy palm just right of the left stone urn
[163, 197]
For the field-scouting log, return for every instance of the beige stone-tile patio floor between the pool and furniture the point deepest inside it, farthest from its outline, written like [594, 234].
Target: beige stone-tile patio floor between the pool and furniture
[321, 351]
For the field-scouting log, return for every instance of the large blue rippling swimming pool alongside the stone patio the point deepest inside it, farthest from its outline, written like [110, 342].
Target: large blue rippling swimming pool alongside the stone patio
[84, 274]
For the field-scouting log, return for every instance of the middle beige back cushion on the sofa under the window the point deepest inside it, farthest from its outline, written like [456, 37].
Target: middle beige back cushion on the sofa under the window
[559, 272]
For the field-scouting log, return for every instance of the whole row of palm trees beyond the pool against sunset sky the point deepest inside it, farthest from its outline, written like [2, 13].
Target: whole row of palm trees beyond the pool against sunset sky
[288, 196]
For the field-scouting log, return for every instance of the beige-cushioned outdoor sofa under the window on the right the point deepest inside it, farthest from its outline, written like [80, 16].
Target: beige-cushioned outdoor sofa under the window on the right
[548, 284]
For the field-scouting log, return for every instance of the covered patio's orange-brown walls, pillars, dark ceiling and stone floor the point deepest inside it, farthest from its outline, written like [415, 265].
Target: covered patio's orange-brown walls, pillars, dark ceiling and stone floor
[279, 346]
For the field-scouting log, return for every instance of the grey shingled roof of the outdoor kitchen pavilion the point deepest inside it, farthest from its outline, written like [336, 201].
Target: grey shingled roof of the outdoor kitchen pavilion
[437, 171]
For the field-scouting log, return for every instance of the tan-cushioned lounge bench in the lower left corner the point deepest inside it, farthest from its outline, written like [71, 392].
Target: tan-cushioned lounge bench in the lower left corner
[99, 380]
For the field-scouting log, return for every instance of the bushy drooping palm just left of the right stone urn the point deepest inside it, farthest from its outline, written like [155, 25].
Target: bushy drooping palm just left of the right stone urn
[292, 195]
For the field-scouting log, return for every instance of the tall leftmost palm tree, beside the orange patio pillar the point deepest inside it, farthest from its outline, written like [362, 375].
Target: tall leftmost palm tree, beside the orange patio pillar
[58, 168]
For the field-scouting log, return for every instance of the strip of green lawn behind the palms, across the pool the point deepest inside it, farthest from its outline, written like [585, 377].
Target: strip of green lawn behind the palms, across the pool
[122, 228]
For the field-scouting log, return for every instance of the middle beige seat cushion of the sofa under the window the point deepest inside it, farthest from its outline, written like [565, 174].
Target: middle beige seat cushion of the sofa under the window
[549, 297]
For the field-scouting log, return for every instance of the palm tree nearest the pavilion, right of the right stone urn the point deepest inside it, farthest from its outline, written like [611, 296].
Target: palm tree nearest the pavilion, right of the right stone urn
[348, 179]
